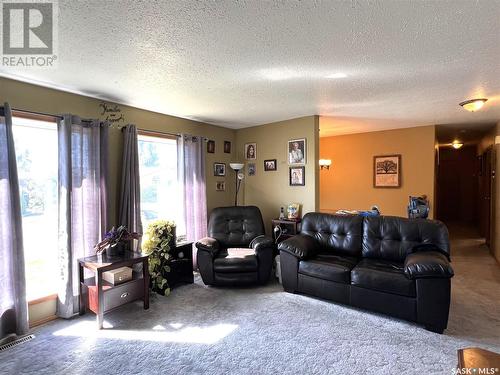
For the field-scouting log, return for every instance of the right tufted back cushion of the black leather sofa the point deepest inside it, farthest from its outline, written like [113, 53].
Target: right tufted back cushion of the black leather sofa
[391, 238]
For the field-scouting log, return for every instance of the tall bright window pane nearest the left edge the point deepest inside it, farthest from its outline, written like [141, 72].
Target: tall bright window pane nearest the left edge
[36, 154]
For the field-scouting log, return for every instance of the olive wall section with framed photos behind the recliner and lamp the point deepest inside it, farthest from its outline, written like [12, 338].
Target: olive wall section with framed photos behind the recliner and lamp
[270, 190]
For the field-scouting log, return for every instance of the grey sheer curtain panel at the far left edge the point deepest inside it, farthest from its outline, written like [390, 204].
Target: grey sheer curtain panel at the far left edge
[13, 305]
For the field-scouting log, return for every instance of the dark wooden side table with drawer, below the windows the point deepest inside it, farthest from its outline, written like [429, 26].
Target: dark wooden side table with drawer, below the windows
[101, 296]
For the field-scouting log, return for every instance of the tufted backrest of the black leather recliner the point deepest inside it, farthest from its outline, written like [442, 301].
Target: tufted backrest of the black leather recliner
[235, 226]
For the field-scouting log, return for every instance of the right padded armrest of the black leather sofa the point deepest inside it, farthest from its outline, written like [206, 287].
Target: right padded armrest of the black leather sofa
[427, 265]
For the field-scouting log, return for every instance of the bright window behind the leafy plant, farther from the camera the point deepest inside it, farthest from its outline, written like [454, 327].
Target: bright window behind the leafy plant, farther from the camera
[160, 191]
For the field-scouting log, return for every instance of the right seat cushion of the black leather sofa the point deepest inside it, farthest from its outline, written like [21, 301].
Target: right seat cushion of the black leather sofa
[384, 276]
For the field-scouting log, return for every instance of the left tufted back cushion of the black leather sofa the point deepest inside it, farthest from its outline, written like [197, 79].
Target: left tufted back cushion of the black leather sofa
[341, 234]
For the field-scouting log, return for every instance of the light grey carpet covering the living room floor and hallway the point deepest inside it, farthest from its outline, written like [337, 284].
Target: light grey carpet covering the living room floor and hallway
[202, 330]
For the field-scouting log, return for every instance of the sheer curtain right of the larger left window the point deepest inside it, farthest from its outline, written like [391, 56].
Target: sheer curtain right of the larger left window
[82, 200]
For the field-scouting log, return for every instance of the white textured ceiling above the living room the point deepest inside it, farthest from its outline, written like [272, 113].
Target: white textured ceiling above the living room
[238, 64]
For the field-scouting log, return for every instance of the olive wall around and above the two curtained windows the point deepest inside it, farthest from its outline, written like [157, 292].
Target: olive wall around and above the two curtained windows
[36, 98]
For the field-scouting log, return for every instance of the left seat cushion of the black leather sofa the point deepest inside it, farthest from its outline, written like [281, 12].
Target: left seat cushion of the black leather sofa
[329, 267]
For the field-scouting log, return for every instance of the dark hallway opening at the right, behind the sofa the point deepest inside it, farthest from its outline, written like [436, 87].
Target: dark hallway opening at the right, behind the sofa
[465, 179]
